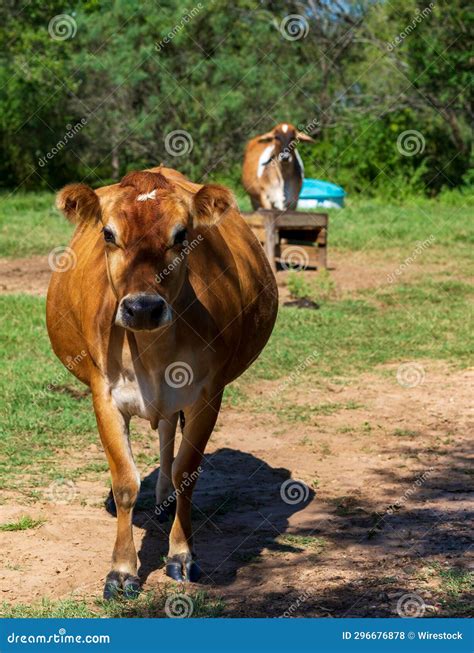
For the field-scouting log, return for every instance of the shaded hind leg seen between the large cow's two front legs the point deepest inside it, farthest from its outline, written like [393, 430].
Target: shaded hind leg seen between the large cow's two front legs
[165, 496]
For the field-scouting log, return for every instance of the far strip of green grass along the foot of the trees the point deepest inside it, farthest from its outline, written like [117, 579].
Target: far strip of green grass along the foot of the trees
[29, 224]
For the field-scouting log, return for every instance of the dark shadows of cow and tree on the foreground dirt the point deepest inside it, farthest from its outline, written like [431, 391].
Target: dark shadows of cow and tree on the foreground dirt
[350, 556]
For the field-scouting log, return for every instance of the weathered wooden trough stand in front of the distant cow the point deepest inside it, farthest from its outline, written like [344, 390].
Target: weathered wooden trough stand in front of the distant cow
[285, 234]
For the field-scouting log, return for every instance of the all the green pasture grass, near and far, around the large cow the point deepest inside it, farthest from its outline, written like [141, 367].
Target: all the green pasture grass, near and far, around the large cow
[45, 412]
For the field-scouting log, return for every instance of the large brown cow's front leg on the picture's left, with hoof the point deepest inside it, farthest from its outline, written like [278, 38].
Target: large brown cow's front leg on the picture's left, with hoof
[113, 429]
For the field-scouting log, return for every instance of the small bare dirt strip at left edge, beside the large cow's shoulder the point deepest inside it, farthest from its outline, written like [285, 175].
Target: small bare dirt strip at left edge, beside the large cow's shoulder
[25, 275]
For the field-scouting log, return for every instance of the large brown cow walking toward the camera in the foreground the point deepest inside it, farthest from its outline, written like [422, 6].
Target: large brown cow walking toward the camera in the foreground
[171, 298]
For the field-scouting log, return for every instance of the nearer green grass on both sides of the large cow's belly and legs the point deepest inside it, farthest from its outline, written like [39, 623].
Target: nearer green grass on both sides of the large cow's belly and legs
[422, 321]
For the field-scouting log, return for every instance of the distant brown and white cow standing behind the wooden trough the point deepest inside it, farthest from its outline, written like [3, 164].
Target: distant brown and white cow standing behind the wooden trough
[273, 172]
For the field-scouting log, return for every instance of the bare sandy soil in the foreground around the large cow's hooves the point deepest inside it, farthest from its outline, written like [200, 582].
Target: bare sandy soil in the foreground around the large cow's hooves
[383, 500]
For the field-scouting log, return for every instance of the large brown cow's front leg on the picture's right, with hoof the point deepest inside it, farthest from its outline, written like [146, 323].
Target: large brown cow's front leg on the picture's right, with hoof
[181, 564]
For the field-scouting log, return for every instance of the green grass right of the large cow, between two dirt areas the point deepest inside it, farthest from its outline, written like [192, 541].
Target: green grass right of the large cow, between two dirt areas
[426, 320]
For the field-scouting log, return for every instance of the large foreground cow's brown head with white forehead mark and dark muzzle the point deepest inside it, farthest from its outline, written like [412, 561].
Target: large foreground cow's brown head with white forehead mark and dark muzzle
[149, 226]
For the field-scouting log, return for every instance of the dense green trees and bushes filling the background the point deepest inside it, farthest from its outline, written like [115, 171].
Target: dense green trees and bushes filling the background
[361, 74]
